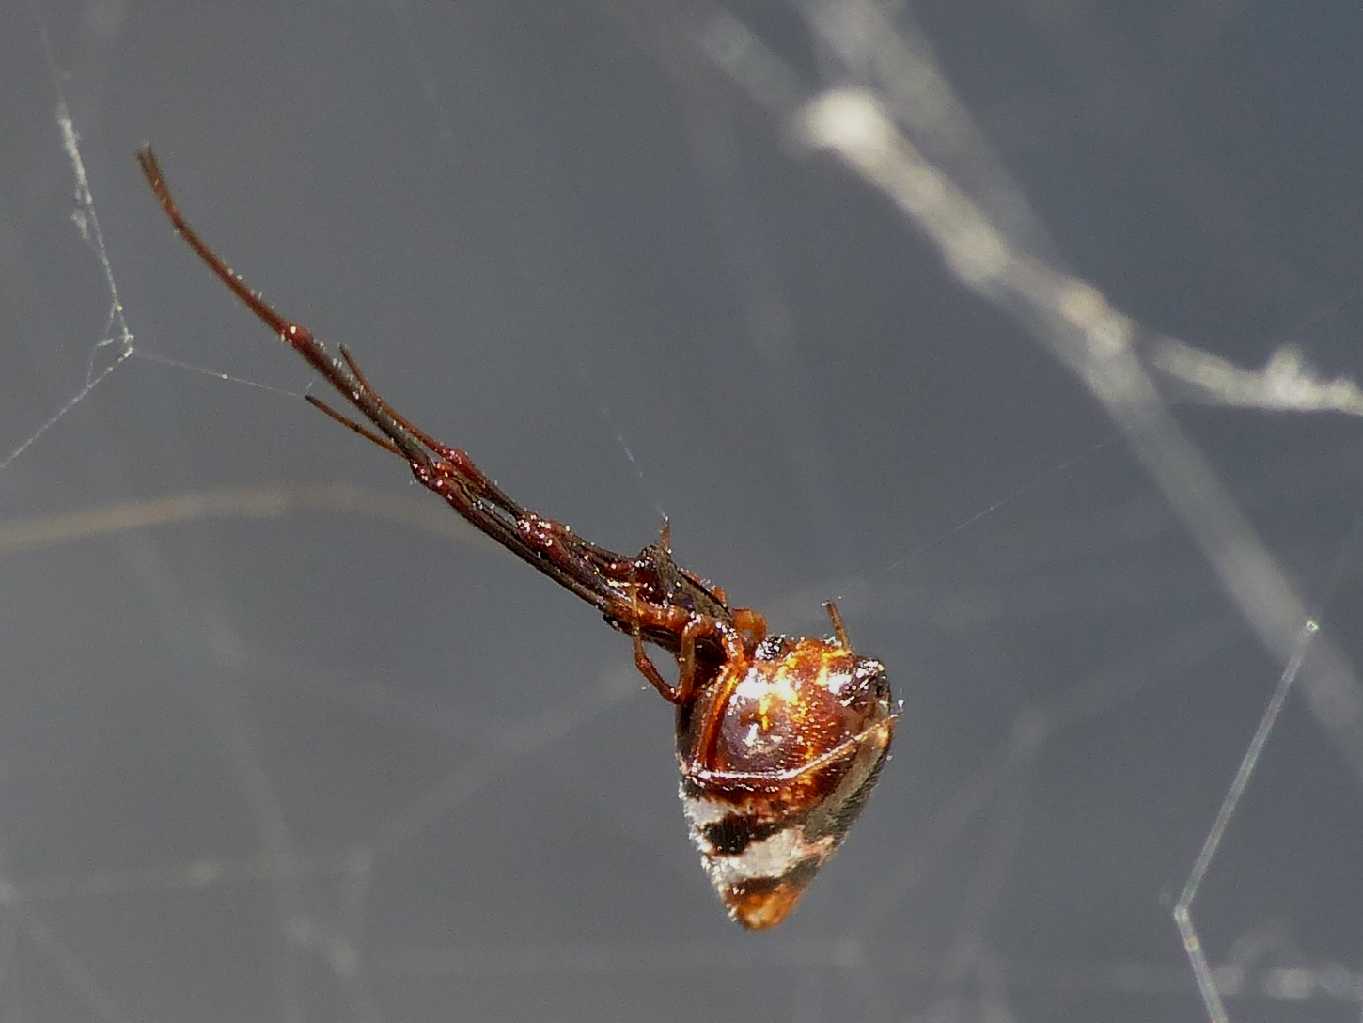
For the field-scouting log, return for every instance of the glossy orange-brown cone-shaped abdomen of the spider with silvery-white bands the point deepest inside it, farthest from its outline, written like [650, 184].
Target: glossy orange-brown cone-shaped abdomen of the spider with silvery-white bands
[778, 759]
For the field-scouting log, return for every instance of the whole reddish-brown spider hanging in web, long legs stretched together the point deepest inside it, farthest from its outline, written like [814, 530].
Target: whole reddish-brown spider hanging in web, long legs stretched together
[779, 739]
